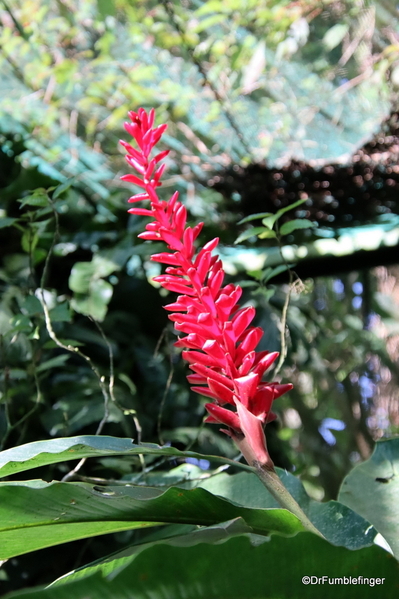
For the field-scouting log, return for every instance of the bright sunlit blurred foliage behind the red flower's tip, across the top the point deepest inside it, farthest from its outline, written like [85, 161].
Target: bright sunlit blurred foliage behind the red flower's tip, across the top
[291, 85]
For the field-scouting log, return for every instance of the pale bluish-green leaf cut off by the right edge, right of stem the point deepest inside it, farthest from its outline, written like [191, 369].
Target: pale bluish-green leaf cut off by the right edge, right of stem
[372, 489]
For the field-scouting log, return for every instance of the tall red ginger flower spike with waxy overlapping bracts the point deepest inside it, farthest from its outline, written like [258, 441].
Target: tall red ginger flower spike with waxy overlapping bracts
[220, 343]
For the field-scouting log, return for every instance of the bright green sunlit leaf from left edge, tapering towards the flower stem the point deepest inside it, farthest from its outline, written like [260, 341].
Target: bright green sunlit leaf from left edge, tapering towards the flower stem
[60, 512]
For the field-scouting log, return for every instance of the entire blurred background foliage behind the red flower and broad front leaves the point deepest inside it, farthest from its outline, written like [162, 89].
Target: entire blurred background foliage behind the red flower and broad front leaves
[268, 103]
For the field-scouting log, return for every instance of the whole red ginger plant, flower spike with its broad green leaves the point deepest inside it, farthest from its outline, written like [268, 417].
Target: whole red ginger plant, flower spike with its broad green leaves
[223, 517]
